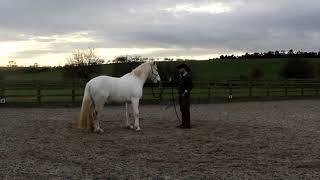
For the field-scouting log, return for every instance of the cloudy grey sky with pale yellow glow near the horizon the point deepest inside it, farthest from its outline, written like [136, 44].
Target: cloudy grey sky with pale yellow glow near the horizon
[47, 31]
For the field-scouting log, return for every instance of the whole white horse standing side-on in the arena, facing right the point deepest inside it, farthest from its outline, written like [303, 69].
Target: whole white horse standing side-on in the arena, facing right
[106, 89]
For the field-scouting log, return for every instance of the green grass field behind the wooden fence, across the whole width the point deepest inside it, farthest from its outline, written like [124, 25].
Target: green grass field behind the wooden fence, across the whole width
[216, 72]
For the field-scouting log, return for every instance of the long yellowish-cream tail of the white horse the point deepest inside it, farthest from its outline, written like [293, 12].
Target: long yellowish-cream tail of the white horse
[87, 110]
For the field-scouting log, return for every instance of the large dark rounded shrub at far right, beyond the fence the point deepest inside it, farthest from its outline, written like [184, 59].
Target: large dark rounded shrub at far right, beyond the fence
[297, 69]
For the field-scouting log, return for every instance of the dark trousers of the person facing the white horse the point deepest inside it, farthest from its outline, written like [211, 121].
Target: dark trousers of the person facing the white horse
[184, 102]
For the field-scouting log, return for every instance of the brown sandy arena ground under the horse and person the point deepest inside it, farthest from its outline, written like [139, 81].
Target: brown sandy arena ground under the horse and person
[253, 140]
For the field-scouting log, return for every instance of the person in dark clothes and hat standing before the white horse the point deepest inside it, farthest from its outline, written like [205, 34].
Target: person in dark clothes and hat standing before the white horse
[184, 86]
